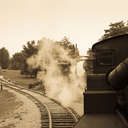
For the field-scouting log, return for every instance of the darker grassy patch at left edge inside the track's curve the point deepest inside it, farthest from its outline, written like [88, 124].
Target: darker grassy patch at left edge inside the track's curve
[8, 104]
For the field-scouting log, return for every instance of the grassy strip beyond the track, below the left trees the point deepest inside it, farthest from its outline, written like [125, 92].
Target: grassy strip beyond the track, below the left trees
[15, 75]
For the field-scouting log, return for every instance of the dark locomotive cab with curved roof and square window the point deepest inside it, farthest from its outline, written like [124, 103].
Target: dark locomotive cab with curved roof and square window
[109, 53]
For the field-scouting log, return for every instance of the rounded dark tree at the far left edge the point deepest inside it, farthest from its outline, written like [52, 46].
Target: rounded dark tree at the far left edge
[4, 58]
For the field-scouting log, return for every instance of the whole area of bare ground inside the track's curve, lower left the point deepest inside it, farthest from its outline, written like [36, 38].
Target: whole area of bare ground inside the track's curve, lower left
[17, 111]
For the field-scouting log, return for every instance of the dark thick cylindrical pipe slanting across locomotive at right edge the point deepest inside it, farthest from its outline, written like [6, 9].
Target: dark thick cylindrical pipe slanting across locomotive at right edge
[118, 77]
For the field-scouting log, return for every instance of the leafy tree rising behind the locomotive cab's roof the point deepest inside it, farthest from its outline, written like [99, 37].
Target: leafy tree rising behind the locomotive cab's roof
[115, 29]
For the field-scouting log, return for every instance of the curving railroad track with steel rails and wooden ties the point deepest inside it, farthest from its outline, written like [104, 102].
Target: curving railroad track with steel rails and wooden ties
[53, 114]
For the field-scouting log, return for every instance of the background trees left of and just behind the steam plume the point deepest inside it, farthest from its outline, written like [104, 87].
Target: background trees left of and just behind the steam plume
[18, 61]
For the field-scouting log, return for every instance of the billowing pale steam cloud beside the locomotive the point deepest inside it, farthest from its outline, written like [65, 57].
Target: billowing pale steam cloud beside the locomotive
[64, 88]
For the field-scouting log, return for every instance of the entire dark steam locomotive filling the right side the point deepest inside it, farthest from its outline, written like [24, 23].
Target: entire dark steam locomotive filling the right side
[106, 96]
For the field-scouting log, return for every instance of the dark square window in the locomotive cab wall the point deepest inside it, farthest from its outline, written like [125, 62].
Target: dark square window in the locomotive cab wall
[105, 57]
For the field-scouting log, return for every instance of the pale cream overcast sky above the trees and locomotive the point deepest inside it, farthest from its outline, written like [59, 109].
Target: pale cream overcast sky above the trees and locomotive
[82, 21]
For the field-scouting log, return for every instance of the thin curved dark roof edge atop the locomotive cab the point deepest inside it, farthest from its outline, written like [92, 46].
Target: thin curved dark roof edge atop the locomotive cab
[105, 41]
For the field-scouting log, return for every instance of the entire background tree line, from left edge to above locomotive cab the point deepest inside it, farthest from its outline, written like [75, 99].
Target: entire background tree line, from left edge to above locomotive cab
[18, 60]
